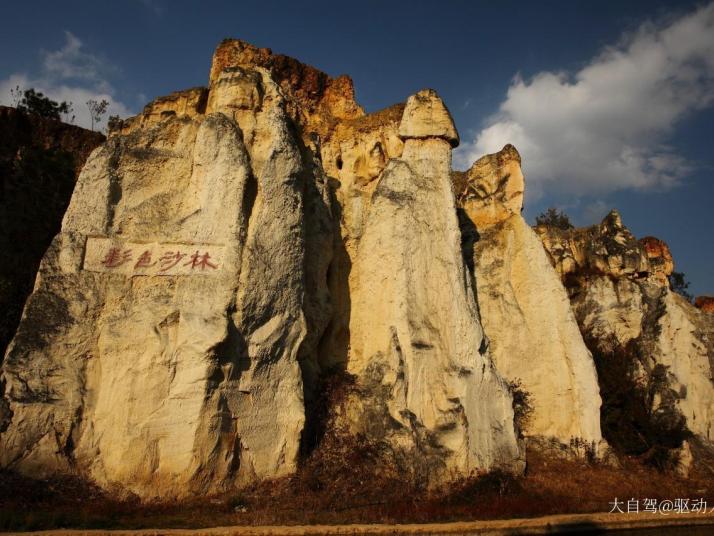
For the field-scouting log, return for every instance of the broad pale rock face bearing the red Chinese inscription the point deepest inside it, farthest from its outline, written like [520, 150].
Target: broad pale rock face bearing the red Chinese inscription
[179, 384]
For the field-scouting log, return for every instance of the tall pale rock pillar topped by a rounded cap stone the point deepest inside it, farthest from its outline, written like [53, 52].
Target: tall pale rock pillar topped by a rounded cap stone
[424, 381]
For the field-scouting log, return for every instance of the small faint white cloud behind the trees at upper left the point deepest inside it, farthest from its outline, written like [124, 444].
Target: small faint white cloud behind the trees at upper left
[70, 74]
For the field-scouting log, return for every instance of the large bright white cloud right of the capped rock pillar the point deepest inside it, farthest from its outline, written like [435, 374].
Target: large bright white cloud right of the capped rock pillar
[604, 128]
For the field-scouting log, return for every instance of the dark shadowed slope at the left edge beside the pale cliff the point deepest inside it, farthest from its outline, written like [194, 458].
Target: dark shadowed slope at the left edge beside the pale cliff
[40, 159]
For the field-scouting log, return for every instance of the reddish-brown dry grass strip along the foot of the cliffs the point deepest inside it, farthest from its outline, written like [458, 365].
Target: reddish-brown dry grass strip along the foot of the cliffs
[350, 493]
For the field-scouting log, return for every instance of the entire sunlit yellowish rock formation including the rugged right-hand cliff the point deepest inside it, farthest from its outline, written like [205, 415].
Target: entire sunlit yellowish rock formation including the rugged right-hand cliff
[231, 247]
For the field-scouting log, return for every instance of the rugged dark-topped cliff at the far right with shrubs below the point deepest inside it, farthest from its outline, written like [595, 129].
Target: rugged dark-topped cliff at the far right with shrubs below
[620, 294]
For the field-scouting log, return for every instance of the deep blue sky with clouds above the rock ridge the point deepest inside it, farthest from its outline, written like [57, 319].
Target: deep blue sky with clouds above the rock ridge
[610, 103]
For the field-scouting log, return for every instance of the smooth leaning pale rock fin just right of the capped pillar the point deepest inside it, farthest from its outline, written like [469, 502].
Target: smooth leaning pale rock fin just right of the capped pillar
[525, 310]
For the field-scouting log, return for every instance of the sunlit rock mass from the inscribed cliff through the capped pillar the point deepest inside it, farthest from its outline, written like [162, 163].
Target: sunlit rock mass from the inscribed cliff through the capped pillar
[223, 250]
